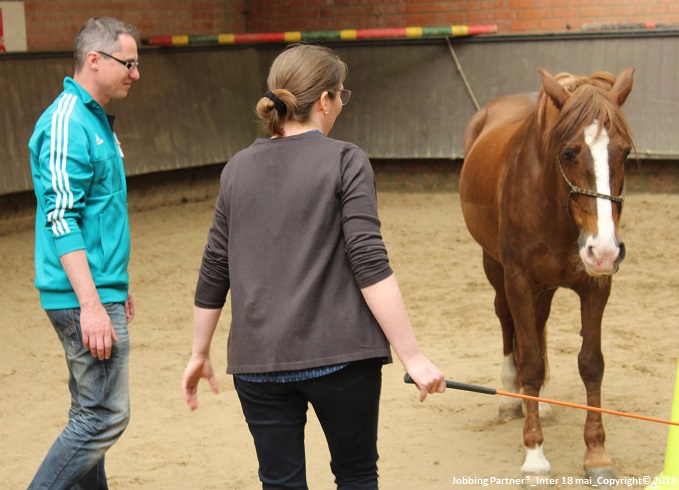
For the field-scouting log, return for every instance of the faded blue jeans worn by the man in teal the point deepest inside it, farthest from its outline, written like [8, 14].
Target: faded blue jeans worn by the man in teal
[100, 406]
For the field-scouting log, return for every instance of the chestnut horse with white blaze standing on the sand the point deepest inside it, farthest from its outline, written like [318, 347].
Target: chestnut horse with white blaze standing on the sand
[541, 188]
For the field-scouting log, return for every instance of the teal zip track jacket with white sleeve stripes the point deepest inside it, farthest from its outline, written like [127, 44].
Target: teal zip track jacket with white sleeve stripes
[79, 183]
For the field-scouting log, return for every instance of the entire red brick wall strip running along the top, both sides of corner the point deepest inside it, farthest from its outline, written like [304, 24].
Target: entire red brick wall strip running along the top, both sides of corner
[52, 24]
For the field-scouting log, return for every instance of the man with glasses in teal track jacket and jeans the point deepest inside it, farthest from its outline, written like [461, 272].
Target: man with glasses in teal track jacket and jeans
[82, 249]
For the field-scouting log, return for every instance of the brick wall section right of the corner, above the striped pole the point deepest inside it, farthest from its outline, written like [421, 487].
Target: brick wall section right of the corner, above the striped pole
[511, 16]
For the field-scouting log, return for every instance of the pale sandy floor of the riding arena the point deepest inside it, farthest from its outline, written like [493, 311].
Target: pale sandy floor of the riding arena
[447, 439]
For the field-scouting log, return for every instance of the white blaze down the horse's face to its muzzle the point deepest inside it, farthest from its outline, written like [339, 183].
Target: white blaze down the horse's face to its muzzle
[601, 252]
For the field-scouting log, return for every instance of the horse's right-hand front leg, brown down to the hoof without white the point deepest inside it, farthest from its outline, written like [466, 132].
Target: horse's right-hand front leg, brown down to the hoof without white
[591, 365]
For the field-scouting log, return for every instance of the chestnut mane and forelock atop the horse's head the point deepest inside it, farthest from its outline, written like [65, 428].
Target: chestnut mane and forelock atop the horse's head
[590, 100]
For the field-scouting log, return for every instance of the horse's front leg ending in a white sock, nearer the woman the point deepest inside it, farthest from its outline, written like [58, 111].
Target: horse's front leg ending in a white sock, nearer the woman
[531, 368]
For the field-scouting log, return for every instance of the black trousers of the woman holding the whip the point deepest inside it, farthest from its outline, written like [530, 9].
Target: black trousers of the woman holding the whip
[346, 403]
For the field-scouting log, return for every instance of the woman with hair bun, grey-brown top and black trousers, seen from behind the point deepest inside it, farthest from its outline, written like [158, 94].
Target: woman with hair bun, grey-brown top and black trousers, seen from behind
[315, 305]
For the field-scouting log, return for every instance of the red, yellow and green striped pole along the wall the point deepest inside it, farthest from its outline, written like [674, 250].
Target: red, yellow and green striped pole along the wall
[341, 35]
